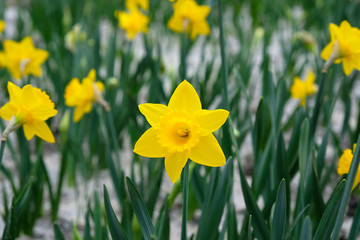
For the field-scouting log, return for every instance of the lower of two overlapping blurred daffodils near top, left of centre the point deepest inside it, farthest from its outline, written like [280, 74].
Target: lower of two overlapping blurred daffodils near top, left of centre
[132, 22]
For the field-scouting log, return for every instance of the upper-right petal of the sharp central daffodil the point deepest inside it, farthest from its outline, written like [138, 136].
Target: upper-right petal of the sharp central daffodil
[211, 120]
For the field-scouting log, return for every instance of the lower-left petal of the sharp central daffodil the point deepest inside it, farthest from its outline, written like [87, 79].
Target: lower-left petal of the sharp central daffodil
[148, 146]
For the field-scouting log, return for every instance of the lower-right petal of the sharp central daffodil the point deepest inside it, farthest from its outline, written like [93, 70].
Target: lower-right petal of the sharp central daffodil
[208, 152]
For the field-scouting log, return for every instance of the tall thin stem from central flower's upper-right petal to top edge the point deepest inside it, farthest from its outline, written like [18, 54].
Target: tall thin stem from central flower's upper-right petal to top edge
[223, 58]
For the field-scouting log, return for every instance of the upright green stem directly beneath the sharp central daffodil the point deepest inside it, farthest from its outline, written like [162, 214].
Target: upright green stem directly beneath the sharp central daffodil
[185, 193]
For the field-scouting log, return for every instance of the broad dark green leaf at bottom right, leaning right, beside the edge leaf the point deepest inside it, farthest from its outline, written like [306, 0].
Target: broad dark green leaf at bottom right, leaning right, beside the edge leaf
[327, 222]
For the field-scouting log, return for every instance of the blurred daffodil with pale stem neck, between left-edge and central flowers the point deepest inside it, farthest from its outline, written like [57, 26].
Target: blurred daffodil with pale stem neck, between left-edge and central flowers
[83, 95]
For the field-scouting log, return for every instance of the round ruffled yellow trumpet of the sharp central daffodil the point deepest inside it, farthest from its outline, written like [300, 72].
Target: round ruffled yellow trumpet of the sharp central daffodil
[178, 131]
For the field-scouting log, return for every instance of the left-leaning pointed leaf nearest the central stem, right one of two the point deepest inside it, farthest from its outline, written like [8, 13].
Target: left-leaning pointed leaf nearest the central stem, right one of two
[141, 212]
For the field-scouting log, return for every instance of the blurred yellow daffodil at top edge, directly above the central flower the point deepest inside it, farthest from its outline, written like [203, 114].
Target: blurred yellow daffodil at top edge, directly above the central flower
[189, 17]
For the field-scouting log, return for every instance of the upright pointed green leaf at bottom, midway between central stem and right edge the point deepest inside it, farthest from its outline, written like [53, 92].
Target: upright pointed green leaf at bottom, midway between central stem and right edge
[279, 217]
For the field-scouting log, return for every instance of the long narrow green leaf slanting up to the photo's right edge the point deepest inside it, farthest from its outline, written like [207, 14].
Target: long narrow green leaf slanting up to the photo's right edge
[346, 195]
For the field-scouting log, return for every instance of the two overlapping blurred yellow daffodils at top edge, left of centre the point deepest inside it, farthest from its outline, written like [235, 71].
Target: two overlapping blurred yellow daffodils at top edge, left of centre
[133, 21]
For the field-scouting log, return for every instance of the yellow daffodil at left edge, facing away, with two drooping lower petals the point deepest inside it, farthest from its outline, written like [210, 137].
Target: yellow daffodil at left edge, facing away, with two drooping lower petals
[28, 107]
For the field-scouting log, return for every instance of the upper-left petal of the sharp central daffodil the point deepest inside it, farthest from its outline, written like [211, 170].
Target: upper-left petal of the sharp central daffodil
[153, 112]
